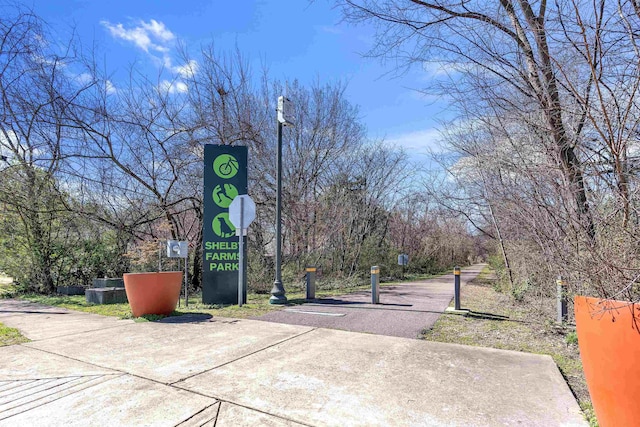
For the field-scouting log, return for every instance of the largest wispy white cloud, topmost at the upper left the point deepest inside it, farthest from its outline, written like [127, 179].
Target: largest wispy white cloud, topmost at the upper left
[152, 35]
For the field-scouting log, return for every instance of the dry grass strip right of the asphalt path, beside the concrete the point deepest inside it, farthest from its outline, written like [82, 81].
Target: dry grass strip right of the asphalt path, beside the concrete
[496, 320]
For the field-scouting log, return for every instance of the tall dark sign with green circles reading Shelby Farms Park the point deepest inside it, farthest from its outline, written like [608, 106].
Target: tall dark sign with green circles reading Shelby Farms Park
[225, 177]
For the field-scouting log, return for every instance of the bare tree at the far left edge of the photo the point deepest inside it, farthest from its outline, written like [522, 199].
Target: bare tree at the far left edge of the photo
[36, 94]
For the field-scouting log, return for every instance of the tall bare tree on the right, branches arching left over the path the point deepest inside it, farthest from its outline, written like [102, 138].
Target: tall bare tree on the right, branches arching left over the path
[503, 47]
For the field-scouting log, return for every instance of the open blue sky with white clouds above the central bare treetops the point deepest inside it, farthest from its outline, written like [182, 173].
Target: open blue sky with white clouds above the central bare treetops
[293, 38]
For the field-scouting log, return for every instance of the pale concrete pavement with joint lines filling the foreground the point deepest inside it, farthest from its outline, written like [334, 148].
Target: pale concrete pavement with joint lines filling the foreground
[89, 370]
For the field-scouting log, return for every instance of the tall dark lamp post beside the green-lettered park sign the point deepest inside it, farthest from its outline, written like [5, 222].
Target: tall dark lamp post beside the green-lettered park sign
[277, 292]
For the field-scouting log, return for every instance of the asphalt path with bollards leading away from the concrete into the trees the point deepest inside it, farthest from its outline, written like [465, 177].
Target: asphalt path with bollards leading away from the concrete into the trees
[405, 309]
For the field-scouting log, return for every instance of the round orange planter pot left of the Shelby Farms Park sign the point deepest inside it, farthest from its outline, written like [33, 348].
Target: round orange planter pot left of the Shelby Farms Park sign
[153, 293]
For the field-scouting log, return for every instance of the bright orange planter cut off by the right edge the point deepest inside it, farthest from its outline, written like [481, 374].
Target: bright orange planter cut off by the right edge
[609, 343]
